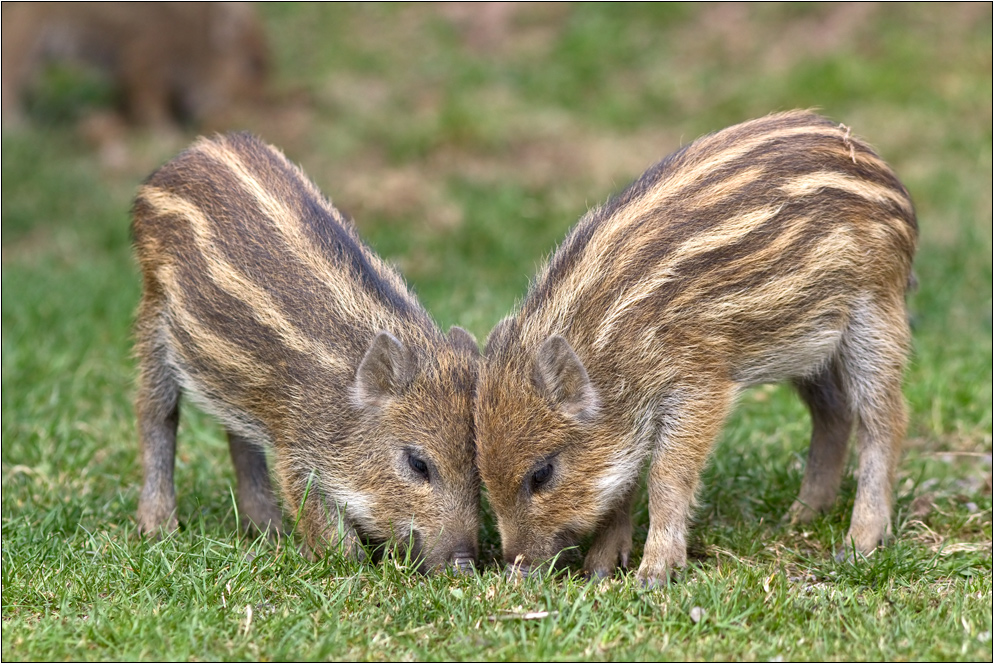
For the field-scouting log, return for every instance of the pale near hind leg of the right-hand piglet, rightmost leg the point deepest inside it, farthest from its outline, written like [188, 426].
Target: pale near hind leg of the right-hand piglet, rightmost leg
[873, 355]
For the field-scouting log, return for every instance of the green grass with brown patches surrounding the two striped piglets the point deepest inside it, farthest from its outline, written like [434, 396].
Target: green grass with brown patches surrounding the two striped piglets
[465, 149]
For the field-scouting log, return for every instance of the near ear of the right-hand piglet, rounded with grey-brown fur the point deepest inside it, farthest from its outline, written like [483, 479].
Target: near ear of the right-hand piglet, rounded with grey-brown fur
[562, 378]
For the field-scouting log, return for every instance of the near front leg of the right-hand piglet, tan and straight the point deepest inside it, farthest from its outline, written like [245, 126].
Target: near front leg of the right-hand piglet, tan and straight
[688, 430]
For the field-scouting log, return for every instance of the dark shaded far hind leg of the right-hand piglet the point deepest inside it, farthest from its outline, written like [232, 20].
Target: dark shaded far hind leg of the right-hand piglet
[831, 427]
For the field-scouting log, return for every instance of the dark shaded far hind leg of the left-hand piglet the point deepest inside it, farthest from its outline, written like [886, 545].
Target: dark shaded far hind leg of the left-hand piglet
[256, 500]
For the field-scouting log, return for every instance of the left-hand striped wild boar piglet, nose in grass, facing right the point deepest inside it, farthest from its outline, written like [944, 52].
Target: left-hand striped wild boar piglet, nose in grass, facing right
[263, 306]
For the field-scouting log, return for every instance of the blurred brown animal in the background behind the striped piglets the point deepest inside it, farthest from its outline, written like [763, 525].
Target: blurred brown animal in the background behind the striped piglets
[171, 62]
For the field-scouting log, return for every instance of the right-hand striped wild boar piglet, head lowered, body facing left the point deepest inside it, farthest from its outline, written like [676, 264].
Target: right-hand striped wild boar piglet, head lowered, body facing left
[775, 250]
